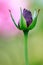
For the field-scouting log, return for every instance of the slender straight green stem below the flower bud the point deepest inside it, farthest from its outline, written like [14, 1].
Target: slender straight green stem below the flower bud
[26, 47]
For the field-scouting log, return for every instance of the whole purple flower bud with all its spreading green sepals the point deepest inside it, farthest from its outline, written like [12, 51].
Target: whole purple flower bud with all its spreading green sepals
[26, 21]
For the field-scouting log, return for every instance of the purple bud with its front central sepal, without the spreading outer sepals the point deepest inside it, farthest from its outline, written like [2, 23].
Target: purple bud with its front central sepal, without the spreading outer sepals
[25, 20]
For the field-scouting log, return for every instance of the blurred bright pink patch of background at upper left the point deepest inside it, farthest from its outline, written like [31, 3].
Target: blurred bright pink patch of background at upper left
[6, 24]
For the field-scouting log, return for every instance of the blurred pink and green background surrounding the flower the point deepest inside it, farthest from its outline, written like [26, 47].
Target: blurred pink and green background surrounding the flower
[12, 39]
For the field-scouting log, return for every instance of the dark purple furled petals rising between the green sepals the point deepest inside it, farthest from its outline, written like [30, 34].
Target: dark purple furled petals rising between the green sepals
[28, 16]
